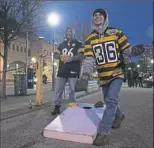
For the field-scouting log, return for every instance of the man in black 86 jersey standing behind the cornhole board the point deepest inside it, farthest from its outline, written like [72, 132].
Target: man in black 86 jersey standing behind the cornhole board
[70, 55]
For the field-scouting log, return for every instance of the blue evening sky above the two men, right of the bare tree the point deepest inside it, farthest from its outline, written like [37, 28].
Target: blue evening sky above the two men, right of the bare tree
[135, 18]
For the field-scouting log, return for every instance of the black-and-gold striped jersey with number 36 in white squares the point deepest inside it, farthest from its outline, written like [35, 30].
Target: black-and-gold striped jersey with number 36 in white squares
[106, 50]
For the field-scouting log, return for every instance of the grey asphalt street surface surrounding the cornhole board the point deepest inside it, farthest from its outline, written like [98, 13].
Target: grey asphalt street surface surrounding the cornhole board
[136, 131]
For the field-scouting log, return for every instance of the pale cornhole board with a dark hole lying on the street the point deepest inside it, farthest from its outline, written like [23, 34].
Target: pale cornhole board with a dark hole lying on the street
[78, 124]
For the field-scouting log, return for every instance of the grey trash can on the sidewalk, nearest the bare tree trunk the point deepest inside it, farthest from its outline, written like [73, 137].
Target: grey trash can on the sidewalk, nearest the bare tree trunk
[20, 84]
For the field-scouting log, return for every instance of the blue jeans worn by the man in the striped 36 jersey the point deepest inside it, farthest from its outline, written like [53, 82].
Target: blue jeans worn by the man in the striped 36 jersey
[111, 94]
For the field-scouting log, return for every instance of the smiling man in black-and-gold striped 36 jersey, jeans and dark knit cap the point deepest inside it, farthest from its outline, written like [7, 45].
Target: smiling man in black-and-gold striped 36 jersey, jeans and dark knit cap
[110, 49]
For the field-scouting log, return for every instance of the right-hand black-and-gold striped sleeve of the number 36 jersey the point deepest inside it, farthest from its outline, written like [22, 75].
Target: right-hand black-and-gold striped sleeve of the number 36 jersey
[123, 41]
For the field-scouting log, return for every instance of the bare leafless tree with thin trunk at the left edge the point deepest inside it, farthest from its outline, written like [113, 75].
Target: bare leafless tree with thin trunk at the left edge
[15, 18]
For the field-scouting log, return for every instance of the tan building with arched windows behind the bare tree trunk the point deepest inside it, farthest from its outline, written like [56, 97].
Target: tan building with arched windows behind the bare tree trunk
[17, 56]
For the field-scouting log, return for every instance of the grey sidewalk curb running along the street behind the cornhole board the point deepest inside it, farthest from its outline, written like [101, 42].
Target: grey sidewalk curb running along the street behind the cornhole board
[25, 109]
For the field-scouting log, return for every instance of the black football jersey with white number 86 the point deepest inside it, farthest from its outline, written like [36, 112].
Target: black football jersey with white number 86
[70, 69]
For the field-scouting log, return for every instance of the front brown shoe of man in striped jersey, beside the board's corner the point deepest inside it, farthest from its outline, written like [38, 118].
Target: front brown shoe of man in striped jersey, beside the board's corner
[101, 140]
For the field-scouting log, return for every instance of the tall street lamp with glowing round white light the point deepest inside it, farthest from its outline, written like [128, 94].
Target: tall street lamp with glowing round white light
[53, 20]
